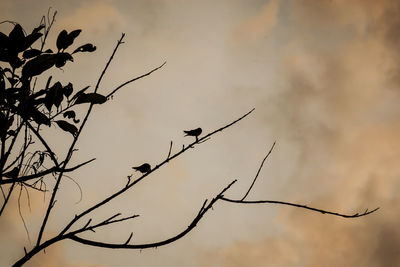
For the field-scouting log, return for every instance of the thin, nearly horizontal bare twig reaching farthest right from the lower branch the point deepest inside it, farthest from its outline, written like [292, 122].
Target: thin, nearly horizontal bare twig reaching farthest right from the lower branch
[356, 215]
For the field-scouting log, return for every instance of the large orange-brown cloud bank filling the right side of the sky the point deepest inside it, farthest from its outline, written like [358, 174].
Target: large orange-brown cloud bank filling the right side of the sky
[336, 105]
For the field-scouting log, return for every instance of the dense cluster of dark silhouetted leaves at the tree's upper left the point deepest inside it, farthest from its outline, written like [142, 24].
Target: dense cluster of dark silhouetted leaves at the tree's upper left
[23, 64]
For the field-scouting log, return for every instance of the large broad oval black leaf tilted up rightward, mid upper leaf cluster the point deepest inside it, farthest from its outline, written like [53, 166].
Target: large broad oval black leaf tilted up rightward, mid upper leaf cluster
[38, 65]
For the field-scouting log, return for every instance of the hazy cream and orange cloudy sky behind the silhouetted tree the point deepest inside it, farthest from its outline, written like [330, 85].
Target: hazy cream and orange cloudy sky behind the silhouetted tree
[323, 79]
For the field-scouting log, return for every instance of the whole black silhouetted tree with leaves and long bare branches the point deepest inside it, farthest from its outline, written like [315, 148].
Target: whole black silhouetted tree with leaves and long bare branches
[28, 110]
